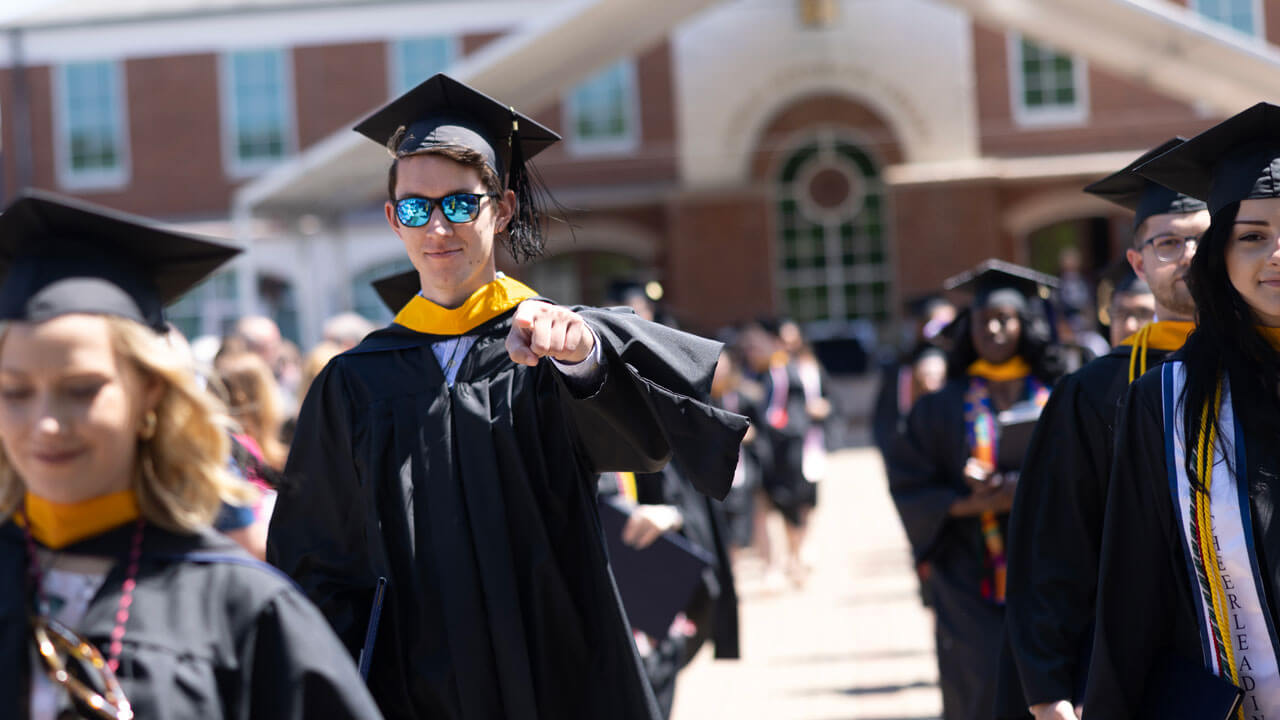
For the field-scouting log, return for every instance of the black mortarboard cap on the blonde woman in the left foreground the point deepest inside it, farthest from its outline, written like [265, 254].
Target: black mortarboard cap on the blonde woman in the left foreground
[60, 257]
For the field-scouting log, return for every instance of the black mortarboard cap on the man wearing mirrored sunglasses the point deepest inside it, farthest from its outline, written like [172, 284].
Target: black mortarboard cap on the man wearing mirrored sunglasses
[446, 113]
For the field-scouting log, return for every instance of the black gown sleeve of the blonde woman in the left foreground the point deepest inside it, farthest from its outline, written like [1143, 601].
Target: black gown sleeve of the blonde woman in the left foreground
[298, 668]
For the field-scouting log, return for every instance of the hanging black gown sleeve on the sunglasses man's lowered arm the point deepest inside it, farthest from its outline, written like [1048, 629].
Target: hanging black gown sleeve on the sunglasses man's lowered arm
[319, 527]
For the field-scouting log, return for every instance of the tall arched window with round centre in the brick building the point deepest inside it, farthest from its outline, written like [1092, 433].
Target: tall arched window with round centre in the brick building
[834, 266]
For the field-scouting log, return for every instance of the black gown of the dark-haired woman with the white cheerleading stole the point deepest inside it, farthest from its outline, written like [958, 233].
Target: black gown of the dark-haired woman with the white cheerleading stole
[1145, 604]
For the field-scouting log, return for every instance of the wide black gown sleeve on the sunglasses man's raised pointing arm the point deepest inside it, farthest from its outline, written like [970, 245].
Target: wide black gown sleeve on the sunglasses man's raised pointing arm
[655, 403]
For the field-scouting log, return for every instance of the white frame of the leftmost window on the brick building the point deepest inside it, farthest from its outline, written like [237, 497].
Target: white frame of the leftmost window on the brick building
[68, 177]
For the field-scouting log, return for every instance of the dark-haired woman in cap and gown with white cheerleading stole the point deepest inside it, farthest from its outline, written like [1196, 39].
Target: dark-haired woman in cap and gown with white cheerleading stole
[1151, 614]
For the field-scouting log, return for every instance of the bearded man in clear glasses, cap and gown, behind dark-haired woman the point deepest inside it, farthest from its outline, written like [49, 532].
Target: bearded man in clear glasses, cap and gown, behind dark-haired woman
[1057, 526]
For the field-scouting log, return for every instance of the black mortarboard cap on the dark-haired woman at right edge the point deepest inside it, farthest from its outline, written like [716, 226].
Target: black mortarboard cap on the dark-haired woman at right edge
[1237, 160]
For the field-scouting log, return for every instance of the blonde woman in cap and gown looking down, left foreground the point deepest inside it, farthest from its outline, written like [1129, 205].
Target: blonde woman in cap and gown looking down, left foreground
[115, 467]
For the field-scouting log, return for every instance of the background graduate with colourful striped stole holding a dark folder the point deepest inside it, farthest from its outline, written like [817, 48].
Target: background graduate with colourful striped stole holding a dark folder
[948, 489]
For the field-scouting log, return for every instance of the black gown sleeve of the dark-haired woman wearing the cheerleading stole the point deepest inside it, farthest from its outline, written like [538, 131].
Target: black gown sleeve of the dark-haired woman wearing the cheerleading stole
[1137, 587]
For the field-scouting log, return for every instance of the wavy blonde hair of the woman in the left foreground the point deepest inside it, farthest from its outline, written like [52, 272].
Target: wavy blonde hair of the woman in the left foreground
[181, 476]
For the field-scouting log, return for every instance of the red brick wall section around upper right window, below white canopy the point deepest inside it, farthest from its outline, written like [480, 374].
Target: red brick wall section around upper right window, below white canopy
[1123, 115]
